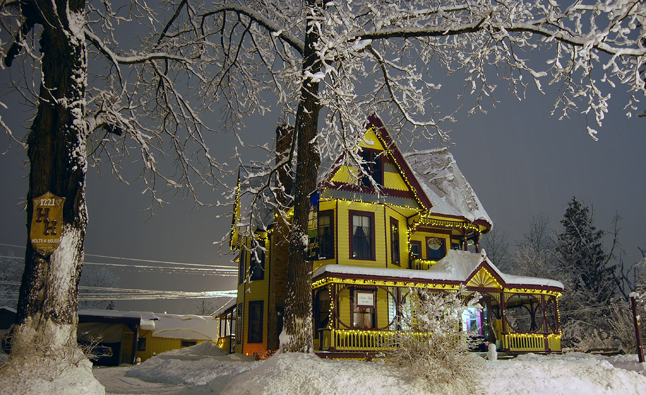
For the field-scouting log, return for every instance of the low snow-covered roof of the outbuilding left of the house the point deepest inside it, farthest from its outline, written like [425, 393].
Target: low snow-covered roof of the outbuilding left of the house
[174, 326]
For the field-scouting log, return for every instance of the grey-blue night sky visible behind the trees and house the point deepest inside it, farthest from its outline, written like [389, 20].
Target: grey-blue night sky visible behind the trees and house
[518, 159]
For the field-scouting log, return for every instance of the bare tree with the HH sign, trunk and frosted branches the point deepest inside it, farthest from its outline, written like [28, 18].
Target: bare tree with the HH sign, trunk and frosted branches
[87, 110]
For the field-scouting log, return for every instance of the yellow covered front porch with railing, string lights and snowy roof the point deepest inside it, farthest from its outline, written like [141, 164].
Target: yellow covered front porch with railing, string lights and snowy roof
[358, 309]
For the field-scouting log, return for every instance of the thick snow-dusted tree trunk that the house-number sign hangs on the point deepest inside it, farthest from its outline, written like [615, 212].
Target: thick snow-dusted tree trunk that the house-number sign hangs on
[44, 345]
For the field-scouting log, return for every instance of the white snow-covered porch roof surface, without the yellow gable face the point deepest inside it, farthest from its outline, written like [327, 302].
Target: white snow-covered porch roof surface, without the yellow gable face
[455, 266]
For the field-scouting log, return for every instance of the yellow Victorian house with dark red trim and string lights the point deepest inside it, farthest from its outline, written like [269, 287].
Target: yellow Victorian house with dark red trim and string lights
[372, 247]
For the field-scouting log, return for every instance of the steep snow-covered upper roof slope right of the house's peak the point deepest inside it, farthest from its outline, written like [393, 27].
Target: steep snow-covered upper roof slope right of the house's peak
[445, 185]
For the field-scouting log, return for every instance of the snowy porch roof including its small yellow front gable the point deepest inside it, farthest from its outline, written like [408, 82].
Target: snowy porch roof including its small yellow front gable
[457, 267]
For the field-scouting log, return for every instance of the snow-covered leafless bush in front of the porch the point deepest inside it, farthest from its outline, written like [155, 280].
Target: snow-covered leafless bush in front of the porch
[435, 348]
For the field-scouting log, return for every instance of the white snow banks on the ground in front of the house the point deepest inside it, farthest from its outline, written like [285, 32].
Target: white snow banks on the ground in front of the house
[205, 369]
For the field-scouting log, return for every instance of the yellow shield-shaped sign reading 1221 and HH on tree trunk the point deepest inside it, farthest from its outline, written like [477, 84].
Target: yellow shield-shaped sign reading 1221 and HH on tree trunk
[46, 223]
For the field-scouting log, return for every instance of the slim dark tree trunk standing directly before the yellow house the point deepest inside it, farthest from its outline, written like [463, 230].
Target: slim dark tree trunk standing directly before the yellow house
[298, 306]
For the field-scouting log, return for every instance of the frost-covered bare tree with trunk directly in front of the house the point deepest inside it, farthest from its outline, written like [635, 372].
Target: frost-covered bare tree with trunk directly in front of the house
[359, 57]
